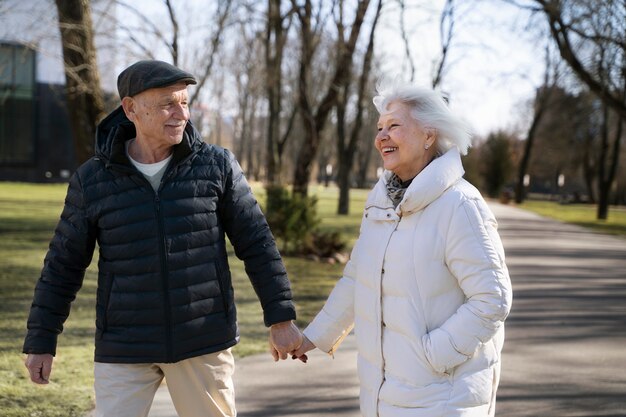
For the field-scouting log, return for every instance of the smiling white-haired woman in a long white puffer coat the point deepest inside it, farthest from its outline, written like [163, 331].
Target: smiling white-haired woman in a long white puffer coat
[426, 287]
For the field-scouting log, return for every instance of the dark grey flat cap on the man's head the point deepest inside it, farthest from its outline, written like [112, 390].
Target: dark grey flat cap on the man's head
[143, 75]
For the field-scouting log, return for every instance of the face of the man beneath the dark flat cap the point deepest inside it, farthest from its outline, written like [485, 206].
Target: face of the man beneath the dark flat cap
[159, 115]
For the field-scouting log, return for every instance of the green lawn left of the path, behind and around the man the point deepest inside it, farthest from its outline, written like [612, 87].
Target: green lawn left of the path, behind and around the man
[28, 215]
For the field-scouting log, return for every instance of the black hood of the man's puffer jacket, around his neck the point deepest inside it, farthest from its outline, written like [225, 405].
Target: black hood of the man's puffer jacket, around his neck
[115, 129]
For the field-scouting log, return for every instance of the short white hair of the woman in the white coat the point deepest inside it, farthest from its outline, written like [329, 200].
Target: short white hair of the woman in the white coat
[429, 109]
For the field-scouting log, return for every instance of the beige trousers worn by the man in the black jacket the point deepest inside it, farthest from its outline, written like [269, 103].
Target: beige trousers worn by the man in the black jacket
[199, 387]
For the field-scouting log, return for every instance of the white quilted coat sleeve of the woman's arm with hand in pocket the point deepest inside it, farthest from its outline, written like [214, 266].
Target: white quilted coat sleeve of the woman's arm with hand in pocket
[475, 256]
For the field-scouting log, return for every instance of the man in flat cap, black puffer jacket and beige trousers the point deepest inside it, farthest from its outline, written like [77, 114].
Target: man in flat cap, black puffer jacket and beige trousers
[159, 203]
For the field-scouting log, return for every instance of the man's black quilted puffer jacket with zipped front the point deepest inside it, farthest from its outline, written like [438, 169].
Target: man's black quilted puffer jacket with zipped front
[164, 285]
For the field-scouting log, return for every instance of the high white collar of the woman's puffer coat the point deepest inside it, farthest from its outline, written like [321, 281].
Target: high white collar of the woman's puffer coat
[427, 186]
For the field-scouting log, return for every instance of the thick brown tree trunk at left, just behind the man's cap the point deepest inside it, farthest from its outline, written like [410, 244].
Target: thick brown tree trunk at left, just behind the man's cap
[84, 96]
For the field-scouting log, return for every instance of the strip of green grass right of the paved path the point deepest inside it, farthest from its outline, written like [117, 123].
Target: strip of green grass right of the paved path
[582, 215]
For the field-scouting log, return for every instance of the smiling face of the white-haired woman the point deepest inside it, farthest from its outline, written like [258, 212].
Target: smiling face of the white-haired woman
[401, 141]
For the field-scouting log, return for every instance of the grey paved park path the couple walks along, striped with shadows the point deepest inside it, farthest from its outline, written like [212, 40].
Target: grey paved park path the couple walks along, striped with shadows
[565, 350]
